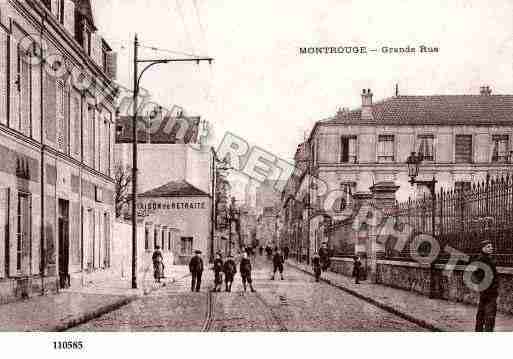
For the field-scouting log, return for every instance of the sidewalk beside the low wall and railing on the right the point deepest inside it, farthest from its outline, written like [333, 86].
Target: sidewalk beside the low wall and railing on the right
[433, 314]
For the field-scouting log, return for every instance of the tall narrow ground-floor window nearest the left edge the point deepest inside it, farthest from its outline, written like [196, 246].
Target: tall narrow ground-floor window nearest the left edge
[22, 231]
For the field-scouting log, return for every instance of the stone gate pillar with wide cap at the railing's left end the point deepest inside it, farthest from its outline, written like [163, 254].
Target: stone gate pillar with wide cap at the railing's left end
[383, 196]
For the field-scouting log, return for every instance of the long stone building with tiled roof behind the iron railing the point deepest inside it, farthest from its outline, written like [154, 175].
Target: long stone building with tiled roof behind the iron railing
[462, 137]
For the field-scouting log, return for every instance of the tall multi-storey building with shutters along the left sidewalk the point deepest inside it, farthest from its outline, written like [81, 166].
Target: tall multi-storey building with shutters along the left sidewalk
[56, 140]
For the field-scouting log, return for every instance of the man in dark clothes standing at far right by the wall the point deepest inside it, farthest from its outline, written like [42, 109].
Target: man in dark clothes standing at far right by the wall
[487, 308]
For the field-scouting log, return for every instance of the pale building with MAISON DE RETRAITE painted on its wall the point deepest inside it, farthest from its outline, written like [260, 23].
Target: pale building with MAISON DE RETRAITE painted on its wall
[174, 183]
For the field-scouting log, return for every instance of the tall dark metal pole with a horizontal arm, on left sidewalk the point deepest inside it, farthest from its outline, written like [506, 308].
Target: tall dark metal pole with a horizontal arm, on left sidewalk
[137, 80]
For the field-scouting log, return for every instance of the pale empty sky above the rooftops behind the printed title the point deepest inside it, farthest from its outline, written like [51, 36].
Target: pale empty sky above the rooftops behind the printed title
[260, 87]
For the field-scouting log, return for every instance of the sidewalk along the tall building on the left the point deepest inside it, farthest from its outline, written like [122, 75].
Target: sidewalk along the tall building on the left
[74, 306]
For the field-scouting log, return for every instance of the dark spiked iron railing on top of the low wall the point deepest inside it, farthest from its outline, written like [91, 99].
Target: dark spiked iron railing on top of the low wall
[462, 219]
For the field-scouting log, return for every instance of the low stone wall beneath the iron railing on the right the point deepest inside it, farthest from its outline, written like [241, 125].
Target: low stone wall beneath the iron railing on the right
[441, 282]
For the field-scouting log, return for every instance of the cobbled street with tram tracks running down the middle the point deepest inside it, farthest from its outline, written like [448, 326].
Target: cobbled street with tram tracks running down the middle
[296, 303]
